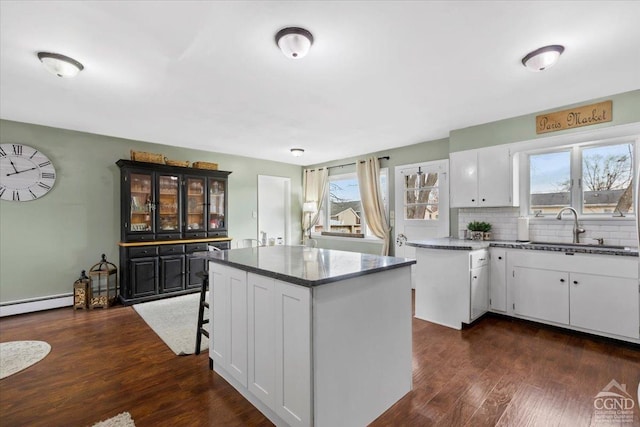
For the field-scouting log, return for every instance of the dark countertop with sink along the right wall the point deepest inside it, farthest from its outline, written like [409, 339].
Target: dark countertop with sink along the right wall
[448, 243]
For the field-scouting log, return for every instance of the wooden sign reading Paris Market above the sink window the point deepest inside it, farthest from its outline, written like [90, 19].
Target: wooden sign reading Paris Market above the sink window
[574, 117]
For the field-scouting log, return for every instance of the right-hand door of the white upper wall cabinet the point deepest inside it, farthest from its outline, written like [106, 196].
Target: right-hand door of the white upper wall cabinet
[494, 177]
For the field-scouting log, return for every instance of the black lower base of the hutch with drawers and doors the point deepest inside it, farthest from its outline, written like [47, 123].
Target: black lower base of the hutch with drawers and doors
[156, 271]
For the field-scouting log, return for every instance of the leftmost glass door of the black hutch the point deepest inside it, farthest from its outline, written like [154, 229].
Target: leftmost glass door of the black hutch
[141, 204]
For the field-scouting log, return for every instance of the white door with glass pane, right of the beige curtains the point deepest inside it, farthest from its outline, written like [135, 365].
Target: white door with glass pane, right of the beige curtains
[422, 204]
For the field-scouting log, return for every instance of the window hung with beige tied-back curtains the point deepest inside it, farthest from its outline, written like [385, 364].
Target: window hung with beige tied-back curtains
[342, 210]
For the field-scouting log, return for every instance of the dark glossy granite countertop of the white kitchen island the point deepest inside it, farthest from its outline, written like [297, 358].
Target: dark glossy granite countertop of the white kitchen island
[305, 266]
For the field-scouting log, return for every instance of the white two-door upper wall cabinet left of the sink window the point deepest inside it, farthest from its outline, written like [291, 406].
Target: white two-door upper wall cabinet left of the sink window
[486, 177]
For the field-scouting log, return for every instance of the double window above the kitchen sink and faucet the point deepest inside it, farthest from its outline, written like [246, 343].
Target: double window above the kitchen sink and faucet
[594, 179]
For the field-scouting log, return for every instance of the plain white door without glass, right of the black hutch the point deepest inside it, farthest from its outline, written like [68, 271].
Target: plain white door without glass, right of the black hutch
[274, 219]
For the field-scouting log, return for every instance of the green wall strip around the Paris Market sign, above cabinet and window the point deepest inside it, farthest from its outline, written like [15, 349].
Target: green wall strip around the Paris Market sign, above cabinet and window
[626, 109]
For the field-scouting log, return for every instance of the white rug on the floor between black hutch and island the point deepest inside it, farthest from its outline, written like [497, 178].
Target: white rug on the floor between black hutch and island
[175, 320]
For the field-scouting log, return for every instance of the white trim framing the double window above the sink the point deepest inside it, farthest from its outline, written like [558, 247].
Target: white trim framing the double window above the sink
[606, 136]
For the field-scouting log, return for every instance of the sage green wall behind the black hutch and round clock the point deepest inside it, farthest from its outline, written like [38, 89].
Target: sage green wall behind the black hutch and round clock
[45, 243]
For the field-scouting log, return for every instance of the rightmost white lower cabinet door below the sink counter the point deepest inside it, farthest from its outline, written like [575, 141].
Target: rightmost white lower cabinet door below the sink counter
[605, 304]
